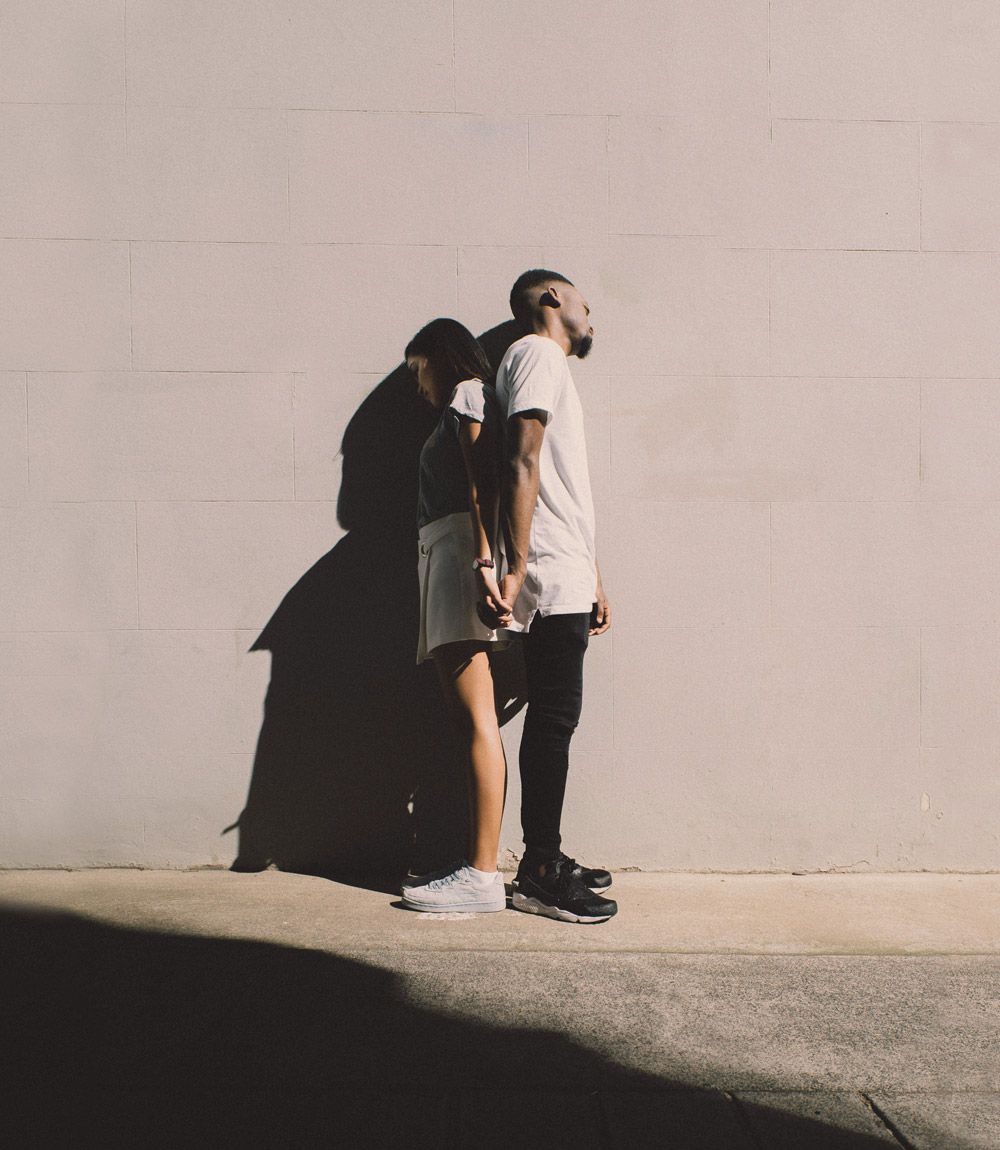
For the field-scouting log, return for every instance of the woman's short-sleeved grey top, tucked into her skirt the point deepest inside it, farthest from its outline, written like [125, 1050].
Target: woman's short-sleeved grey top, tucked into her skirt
[444, 479]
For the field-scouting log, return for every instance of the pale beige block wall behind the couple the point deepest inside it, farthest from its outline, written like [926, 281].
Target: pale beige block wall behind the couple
[221, 221]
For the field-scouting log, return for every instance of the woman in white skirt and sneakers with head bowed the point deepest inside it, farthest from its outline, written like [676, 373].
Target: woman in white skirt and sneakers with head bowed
[458, 519]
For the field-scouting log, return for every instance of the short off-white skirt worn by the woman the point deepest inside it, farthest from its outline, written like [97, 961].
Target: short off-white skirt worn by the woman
[448, 582]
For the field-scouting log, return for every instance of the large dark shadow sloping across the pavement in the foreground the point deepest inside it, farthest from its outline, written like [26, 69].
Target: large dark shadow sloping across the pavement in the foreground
[120, 1038]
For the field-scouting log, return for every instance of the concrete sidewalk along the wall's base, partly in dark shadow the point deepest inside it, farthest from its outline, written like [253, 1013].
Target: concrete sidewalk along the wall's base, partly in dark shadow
[275, 1010]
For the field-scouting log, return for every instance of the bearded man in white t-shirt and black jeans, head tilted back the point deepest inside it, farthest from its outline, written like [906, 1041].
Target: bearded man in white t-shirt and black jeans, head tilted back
[552, 591]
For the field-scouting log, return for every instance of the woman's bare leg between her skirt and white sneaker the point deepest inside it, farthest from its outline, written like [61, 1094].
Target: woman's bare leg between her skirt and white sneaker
[464, 670]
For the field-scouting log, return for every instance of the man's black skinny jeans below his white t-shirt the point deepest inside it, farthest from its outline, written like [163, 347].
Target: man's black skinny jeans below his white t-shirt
[555, 649]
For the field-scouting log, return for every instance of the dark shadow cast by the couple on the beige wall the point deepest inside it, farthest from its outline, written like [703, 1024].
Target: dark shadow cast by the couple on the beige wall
[353, 776]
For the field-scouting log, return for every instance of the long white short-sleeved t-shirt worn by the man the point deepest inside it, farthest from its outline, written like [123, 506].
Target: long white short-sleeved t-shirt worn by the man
[561, 570]
